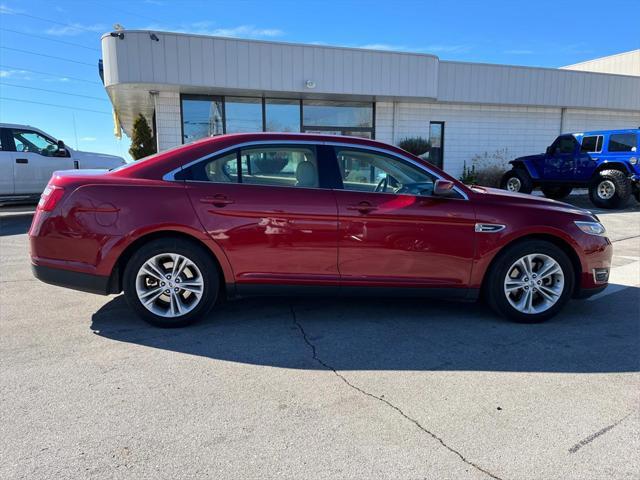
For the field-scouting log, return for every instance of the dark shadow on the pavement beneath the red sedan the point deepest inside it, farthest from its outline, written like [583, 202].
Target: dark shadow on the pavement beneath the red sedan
[396, 334]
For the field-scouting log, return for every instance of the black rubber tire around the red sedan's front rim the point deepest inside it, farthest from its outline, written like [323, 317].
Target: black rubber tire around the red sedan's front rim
[494, 290]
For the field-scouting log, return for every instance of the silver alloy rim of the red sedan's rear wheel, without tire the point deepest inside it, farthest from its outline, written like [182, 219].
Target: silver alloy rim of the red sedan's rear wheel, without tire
[169, 285]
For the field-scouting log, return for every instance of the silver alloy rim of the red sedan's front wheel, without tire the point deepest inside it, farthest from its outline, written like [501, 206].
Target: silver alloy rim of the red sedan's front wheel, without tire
[534, 283]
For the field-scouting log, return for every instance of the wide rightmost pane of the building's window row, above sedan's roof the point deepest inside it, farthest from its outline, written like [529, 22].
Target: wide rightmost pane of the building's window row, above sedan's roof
[337, 114]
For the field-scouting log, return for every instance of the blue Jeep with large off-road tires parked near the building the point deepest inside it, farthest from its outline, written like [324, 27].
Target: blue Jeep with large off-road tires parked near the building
[607, 162]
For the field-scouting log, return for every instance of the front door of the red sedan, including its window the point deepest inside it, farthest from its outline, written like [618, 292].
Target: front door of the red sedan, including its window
[392, 231]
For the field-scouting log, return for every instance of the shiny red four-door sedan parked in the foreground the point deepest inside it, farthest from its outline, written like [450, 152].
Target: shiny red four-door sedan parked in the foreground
[271, 213]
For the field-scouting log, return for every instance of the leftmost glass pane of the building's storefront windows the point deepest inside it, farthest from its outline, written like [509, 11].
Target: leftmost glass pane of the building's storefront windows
[201, 117]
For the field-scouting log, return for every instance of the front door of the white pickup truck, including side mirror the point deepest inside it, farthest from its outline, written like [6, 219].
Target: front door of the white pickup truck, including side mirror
[35, 158]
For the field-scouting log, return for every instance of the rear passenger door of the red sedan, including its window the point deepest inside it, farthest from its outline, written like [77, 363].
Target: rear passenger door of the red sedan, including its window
[265, 207]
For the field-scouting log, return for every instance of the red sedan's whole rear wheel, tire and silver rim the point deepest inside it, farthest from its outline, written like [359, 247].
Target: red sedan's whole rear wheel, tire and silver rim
[171, 282]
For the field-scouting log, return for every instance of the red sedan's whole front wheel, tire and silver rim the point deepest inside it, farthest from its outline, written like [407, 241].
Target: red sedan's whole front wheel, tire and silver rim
[530, 281]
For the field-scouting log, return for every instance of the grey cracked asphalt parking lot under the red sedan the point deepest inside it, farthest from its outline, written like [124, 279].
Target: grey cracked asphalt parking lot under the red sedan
[318, 388]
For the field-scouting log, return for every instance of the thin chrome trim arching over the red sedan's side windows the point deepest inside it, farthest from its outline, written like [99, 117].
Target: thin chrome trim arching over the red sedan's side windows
[170, 176]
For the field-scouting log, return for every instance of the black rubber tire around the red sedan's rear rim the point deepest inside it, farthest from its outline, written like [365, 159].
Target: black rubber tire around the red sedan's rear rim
[192, 251]
